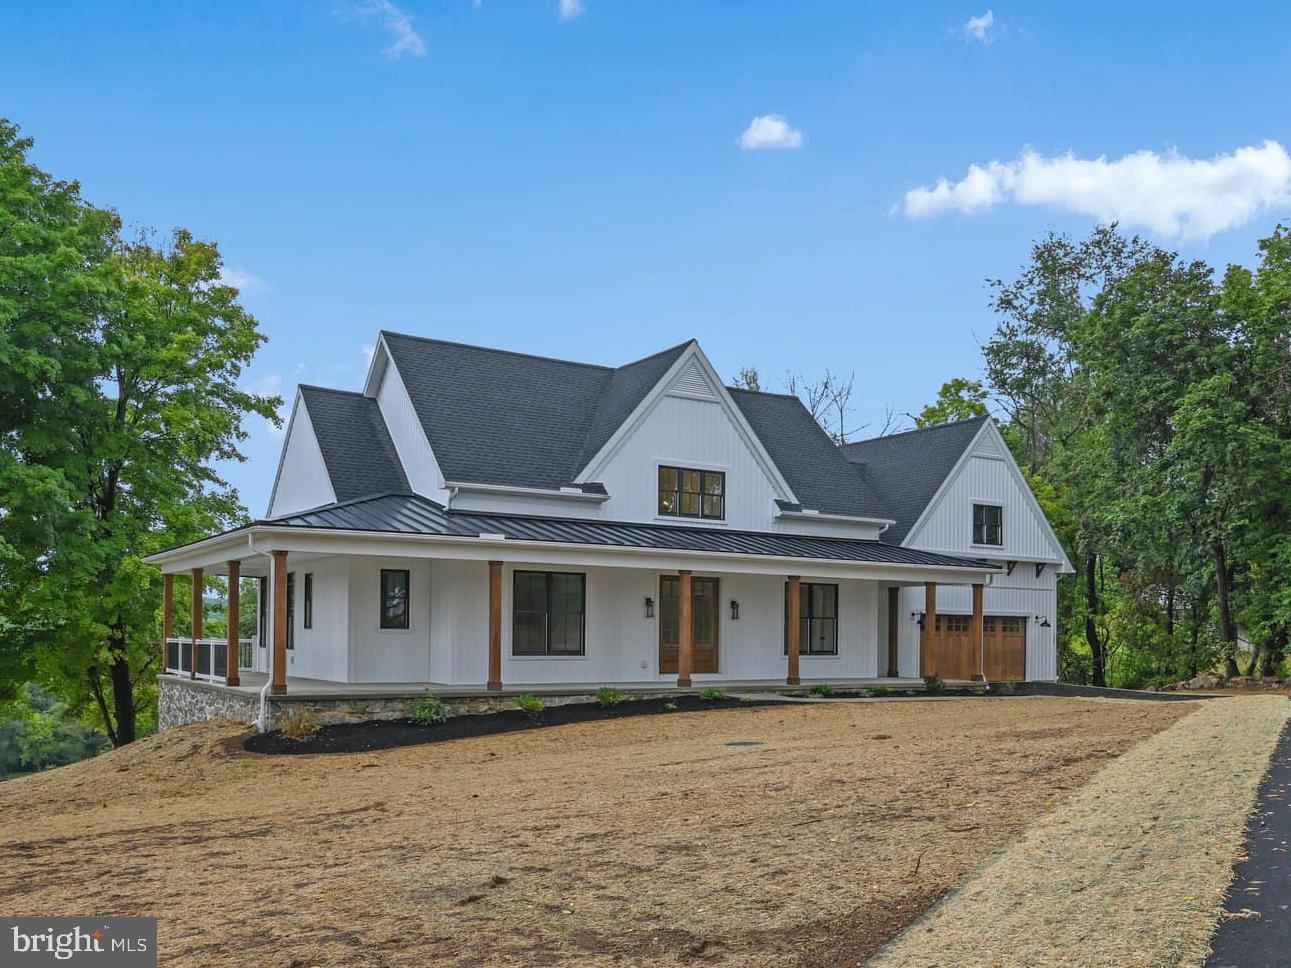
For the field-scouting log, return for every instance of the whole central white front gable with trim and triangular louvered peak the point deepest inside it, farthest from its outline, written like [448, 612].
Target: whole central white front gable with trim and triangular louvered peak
[689, 423]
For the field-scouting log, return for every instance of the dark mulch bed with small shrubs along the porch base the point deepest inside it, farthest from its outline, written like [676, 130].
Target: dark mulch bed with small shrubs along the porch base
[388, 735]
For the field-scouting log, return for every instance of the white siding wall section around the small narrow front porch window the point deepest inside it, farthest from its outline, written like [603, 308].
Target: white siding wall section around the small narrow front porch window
[389, 655]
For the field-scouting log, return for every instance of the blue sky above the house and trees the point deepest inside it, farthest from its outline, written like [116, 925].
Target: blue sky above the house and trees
[567, 177]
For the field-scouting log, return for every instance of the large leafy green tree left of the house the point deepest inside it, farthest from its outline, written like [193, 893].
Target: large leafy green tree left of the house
[135, 394]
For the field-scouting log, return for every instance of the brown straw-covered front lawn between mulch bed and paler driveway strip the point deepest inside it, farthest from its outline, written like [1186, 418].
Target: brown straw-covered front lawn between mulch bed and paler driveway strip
[635, 842]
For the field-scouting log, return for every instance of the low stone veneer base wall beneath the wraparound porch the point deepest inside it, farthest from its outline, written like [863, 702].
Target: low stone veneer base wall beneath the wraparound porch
[183, 701]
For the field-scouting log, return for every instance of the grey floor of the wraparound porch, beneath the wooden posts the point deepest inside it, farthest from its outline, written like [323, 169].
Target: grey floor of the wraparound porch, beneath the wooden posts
[298, 689]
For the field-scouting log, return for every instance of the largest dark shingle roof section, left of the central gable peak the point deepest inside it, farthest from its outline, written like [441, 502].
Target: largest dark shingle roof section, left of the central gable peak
[500, 418]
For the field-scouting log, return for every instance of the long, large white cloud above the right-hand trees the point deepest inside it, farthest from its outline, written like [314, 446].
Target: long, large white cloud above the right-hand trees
[1169, 194]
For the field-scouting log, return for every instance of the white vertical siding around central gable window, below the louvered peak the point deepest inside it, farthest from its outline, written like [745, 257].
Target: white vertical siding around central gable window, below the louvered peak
[691, 434]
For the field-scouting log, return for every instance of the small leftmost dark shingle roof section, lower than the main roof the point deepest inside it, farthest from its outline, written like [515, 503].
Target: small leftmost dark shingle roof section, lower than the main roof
[357, 449]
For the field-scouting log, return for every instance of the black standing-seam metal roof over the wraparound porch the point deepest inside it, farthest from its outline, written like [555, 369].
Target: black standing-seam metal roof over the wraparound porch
[412, 514]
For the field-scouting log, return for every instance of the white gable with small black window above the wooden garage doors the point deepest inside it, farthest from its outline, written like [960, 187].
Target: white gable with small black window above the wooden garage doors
[986, 508]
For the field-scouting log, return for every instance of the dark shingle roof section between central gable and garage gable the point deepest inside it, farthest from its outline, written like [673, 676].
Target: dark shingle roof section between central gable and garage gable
[817, 470]
